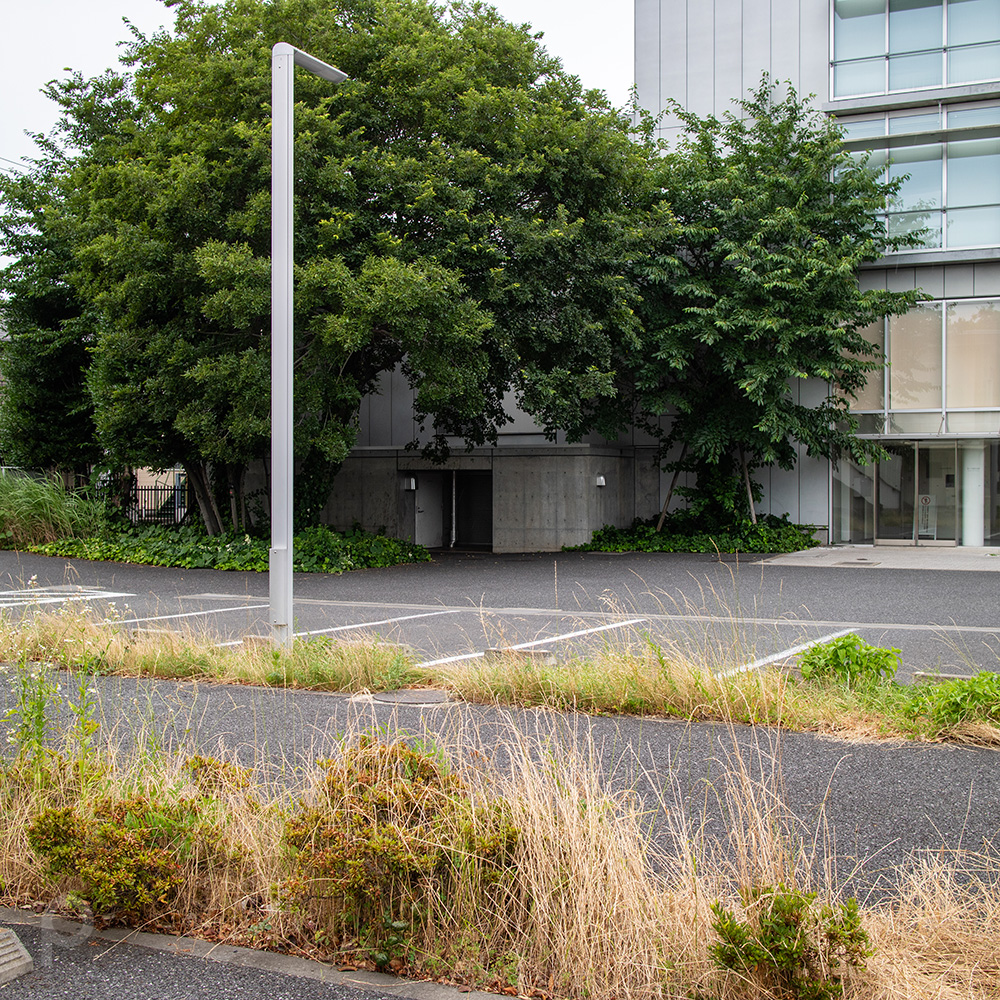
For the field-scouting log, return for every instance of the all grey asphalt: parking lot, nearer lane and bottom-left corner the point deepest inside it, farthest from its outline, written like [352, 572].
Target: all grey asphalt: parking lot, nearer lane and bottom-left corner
[870, 806]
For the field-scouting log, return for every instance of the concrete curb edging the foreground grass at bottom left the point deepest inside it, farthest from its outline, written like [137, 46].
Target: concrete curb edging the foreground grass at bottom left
[265, 961]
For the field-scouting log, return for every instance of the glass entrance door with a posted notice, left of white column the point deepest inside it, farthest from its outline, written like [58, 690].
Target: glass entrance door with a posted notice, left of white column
[917, 494]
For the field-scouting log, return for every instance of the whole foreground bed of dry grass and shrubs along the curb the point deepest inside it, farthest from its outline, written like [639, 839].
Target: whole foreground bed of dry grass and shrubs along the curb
[428, 859]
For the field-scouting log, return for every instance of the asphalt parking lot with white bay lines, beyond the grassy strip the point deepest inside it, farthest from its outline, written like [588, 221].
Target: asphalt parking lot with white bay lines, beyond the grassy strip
[732, 611]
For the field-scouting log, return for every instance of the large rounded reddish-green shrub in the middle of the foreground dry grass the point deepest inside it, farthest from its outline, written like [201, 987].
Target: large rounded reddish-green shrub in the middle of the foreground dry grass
[392, 837]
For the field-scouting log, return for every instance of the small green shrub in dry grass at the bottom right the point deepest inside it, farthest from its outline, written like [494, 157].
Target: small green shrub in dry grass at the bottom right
[787, 946]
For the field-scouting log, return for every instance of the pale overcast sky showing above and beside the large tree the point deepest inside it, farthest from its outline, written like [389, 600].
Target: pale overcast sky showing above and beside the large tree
[41, 38]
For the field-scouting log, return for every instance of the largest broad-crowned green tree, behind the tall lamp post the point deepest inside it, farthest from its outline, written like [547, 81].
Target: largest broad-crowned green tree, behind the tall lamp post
[456, 216]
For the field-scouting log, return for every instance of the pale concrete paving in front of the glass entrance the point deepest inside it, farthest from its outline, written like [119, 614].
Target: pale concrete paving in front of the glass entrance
[919, 557]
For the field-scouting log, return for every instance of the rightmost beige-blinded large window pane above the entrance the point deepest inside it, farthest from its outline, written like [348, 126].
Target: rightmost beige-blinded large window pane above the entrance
[973, 351]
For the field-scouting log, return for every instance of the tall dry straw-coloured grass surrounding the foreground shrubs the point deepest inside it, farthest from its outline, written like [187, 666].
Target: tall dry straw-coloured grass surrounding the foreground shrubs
[594, 907]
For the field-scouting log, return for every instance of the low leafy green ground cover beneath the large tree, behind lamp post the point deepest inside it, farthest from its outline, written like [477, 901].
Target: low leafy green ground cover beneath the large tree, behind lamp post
[316, 550]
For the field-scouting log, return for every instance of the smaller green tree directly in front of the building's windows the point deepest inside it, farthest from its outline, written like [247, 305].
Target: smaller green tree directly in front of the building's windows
[750, 287]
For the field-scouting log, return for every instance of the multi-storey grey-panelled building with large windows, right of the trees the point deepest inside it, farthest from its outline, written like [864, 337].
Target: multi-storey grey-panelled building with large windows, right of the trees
[917, 82]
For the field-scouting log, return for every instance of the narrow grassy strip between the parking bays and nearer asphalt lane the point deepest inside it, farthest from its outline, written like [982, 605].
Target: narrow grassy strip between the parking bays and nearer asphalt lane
[630, 673]
